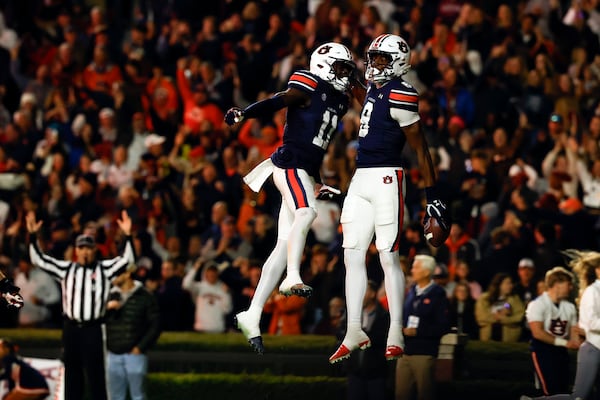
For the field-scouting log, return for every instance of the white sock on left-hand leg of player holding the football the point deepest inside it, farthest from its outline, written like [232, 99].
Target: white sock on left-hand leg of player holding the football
[356, 284]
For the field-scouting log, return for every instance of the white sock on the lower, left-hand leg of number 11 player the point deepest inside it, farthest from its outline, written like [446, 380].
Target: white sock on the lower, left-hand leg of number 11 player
[269, 277]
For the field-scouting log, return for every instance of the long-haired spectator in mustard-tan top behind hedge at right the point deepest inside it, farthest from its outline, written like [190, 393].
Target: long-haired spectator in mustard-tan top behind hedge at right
[499, 311]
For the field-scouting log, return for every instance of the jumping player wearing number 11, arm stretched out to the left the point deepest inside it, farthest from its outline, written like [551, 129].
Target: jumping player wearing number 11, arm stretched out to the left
[316, 100]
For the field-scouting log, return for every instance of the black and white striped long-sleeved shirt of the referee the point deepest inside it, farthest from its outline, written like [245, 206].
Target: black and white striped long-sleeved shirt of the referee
[85, 289]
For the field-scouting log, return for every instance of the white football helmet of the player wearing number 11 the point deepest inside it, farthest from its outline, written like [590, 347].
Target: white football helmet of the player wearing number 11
[333, 63]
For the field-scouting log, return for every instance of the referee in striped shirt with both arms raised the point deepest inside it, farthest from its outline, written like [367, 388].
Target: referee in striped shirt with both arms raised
[85, 286]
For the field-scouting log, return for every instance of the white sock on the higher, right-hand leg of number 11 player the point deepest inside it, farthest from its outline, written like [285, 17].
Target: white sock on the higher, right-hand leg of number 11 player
[303, 218]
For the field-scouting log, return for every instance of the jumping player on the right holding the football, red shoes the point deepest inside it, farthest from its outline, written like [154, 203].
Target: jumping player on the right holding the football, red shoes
[374, 205]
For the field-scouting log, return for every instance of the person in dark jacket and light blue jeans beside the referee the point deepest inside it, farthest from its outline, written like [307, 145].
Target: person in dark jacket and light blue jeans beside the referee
[132, 327]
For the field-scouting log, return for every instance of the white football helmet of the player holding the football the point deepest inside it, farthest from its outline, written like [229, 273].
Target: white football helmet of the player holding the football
[397, 52]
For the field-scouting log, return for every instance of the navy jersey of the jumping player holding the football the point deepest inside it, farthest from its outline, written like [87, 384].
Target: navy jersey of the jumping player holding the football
[385, 111]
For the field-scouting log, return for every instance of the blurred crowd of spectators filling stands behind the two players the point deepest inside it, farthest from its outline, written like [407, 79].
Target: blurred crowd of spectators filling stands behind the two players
[119, 105]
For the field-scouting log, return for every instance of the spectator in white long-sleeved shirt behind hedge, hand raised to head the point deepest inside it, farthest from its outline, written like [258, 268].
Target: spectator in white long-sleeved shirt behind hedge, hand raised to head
[211, 297]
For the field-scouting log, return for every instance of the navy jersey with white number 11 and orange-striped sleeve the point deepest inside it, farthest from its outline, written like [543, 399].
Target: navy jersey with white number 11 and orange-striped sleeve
[308, 130]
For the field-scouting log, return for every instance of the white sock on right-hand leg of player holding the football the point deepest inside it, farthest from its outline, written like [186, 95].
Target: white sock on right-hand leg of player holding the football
[394, 289]
